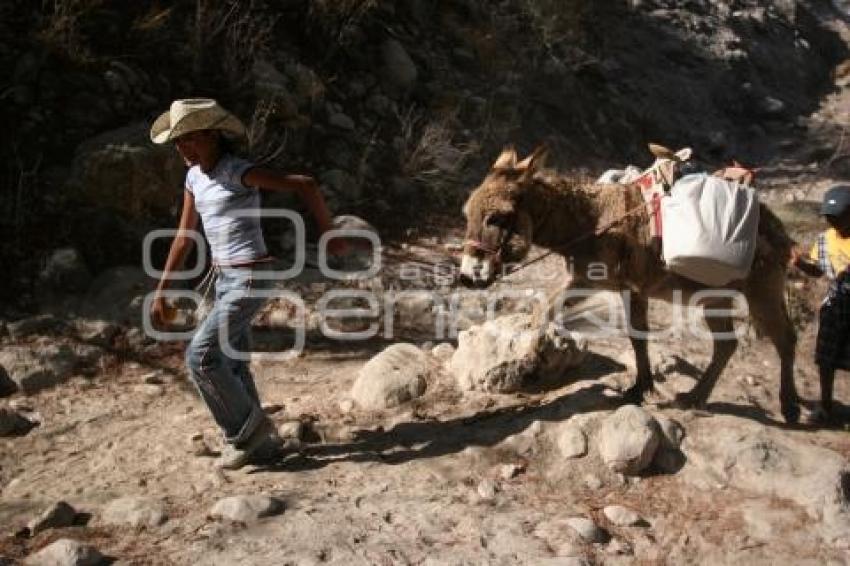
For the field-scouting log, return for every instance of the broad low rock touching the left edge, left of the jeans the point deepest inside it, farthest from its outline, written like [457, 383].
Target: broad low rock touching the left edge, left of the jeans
[33, 370]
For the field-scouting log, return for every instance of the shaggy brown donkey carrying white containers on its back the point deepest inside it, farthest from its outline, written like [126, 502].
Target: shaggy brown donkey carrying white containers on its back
[519, 204]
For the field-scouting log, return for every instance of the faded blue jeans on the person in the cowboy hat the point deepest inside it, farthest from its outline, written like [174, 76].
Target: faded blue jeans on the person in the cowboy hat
[225, 383]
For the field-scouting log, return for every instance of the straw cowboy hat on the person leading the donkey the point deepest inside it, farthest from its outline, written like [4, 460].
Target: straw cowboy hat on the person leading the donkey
[193, 114]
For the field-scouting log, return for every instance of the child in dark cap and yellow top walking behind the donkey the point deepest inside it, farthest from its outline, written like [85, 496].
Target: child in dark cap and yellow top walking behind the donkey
[830, 256]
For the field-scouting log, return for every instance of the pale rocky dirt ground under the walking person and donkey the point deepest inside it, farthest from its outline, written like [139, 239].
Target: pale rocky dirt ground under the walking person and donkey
[430, 467]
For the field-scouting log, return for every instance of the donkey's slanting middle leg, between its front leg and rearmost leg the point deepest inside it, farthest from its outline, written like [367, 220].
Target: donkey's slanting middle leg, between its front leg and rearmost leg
[724, 345]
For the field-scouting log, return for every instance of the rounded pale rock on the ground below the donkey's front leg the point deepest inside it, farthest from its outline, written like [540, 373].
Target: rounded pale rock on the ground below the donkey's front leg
[628, 439]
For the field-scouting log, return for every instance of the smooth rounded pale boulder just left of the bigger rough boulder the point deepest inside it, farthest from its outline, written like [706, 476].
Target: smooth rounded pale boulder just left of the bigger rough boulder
[393, 377]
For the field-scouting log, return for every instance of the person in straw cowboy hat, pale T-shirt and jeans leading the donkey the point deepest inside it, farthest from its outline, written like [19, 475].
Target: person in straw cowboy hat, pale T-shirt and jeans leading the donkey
[219, 188]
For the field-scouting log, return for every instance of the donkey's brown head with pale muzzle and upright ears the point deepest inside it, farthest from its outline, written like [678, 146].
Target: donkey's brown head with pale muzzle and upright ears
[498, 228]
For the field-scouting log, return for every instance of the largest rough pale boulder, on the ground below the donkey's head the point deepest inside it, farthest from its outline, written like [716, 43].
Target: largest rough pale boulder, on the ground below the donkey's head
[500, 355]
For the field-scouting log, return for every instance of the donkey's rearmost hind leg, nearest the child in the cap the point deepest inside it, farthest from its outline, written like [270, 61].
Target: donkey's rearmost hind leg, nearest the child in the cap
[770, 315]
